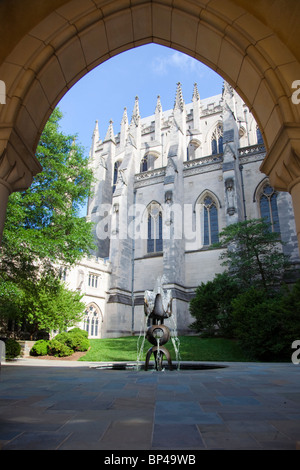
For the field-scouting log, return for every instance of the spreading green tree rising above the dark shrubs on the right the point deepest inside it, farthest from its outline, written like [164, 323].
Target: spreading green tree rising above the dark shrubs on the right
[253, 254]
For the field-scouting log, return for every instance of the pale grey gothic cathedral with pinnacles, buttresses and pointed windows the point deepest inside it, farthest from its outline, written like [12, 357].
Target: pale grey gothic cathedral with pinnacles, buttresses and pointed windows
[165, 186]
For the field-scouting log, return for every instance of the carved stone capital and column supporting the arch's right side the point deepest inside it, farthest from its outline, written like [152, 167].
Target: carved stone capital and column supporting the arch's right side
[282, 165]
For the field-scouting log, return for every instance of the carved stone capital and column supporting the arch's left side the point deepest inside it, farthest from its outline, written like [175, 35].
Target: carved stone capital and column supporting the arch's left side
[18, 165]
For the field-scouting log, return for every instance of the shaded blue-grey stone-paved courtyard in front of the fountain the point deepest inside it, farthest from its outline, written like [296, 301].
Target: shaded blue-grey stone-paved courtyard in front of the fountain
[62, 405]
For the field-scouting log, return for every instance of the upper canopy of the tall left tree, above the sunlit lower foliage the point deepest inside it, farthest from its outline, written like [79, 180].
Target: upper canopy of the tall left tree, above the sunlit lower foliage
[42, 227]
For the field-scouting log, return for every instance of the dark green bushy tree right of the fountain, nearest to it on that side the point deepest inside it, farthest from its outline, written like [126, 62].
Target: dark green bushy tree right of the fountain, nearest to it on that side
[211, 306]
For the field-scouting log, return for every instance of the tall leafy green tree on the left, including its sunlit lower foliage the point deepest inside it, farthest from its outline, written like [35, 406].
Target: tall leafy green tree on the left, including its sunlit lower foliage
[43, 232]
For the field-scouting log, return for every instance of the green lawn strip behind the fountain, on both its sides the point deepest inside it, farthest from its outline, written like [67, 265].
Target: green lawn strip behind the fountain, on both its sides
[192, 348]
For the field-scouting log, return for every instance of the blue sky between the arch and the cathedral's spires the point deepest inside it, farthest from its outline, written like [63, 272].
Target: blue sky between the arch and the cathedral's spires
[146, 71]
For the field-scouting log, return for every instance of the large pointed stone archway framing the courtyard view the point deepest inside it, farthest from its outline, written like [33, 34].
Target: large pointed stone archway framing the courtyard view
[48, 46]
